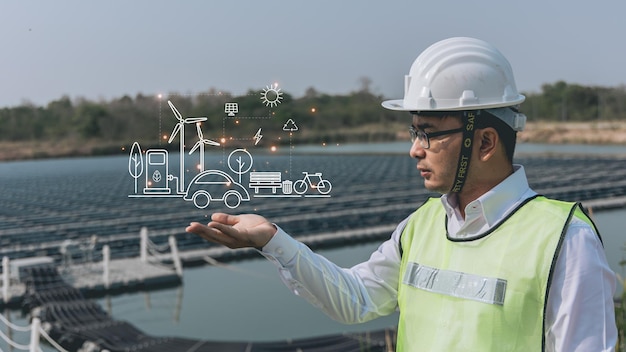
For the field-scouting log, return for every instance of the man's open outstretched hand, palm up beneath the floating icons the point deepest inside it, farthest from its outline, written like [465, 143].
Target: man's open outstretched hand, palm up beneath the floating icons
[235, 231]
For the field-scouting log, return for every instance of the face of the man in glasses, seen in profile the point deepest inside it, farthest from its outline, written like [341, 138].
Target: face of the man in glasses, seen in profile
[437, 164]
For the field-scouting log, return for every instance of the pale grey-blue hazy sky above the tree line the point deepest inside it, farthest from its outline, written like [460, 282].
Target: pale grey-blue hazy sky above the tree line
[101, 50]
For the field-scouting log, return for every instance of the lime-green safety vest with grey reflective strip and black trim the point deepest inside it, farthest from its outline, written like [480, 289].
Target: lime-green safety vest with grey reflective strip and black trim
[483, 294]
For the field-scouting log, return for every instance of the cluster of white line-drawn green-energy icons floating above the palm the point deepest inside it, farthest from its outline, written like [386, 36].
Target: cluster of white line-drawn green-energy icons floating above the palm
[205, 187]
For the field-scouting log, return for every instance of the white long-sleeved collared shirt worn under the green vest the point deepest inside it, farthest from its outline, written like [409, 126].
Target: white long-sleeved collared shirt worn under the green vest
[580, 313]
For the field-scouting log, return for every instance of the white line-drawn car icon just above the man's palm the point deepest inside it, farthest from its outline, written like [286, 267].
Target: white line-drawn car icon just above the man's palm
[215, 185]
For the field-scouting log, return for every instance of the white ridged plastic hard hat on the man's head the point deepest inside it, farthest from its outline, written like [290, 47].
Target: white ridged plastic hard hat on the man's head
[461, 74]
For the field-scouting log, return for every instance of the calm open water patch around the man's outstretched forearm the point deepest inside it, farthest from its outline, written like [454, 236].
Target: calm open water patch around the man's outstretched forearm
[239, 301]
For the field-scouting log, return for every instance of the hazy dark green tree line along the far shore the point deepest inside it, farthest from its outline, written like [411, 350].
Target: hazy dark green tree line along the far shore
[355, 116]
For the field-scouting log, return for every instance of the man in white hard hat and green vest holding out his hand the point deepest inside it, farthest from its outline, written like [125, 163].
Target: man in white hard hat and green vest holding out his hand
[489, 266]
